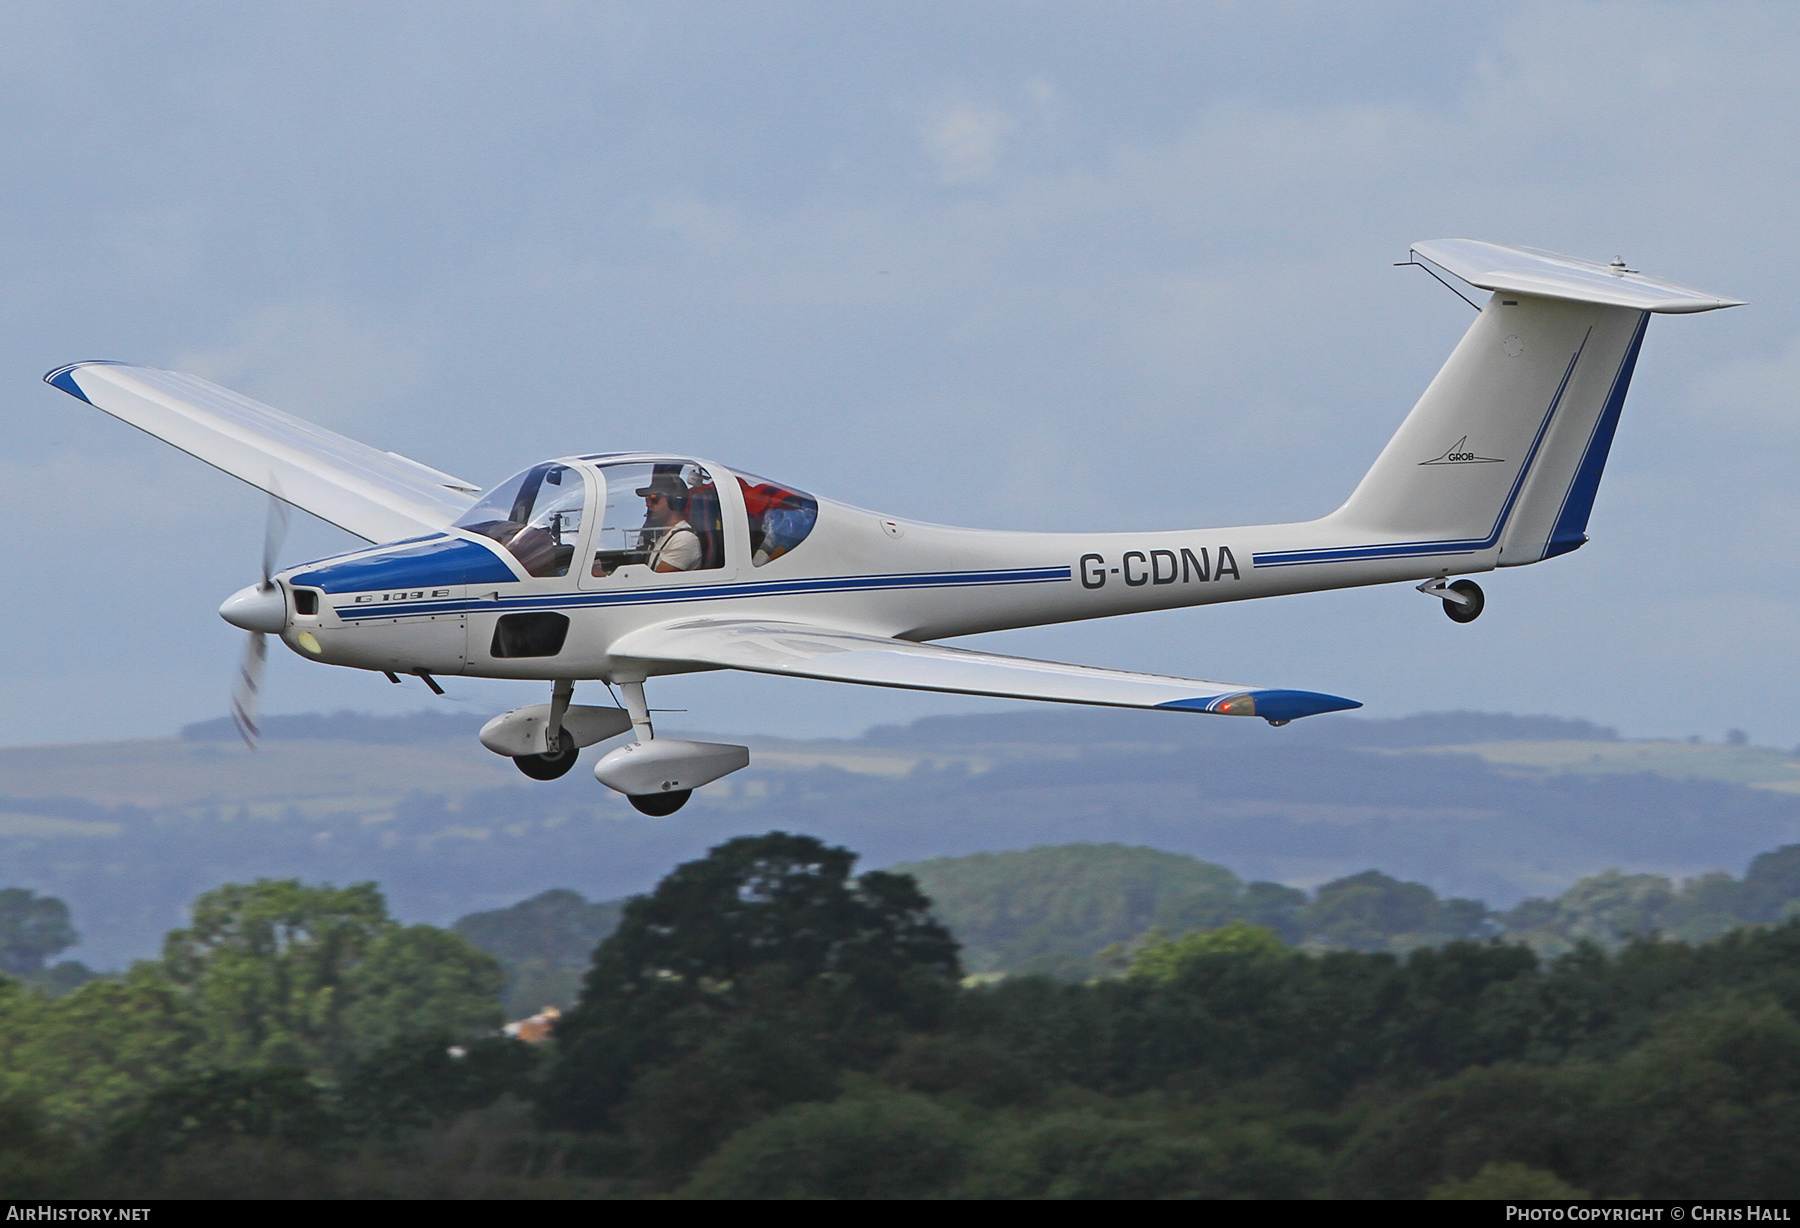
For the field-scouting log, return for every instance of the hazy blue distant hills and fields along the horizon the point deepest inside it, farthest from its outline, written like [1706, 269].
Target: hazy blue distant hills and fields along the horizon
[1473, 806]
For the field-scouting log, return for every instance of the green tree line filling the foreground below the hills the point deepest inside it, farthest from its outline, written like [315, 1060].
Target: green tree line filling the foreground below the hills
[769, 1024]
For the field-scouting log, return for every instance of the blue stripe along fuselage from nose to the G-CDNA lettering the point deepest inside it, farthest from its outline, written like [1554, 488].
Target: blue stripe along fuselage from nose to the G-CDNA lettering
[708, 593]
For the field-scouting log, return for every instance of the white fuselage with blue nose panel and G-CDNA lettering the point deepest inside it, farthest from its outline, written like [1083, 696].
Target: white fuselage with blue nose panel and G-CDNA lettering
[438, 604]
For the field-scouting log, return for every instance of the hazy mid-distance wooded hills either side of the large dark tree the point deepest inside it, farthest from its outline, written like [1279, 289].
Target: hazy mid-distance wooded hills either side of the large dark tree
[1074, 912]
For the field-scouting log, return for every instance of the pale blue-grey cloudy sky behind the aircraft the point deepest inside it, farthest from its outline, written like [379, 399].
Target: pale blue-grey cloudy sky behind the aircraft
[1018, 264]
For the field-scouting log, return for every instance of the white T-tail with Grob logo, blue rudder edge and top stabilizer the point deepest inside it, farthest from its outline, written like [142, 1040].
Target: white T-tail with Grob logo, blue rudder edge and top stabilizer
[1506, 449]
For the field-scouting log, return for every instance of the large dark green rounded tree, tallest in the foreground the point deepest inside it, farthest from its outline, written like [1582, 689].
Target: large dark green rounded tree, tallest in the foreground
[771, 930]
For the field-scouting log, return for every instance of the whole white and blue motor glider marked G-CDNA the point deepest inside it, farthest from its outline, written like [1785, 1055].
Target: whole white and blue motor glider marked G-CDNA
[622, 568]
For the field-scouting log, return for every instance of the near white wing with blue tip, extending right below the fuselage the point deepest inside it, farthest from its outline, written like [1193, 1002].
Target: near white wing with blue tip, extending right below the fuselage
[814, 653]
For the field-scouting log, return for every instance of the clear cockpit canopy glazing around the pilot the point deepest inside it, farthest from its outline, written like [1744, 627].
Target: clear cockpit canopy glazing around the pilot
[660, 514]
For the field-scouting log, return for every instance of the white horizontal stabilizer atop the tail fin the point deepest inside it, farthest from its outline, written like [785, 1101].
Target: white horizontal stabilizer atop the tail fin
[1552, 276]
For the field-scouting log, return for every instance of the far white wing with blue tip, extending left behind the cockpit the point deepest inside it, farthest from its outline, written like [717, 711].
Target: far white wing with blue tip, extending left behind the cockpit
[377, 496]
